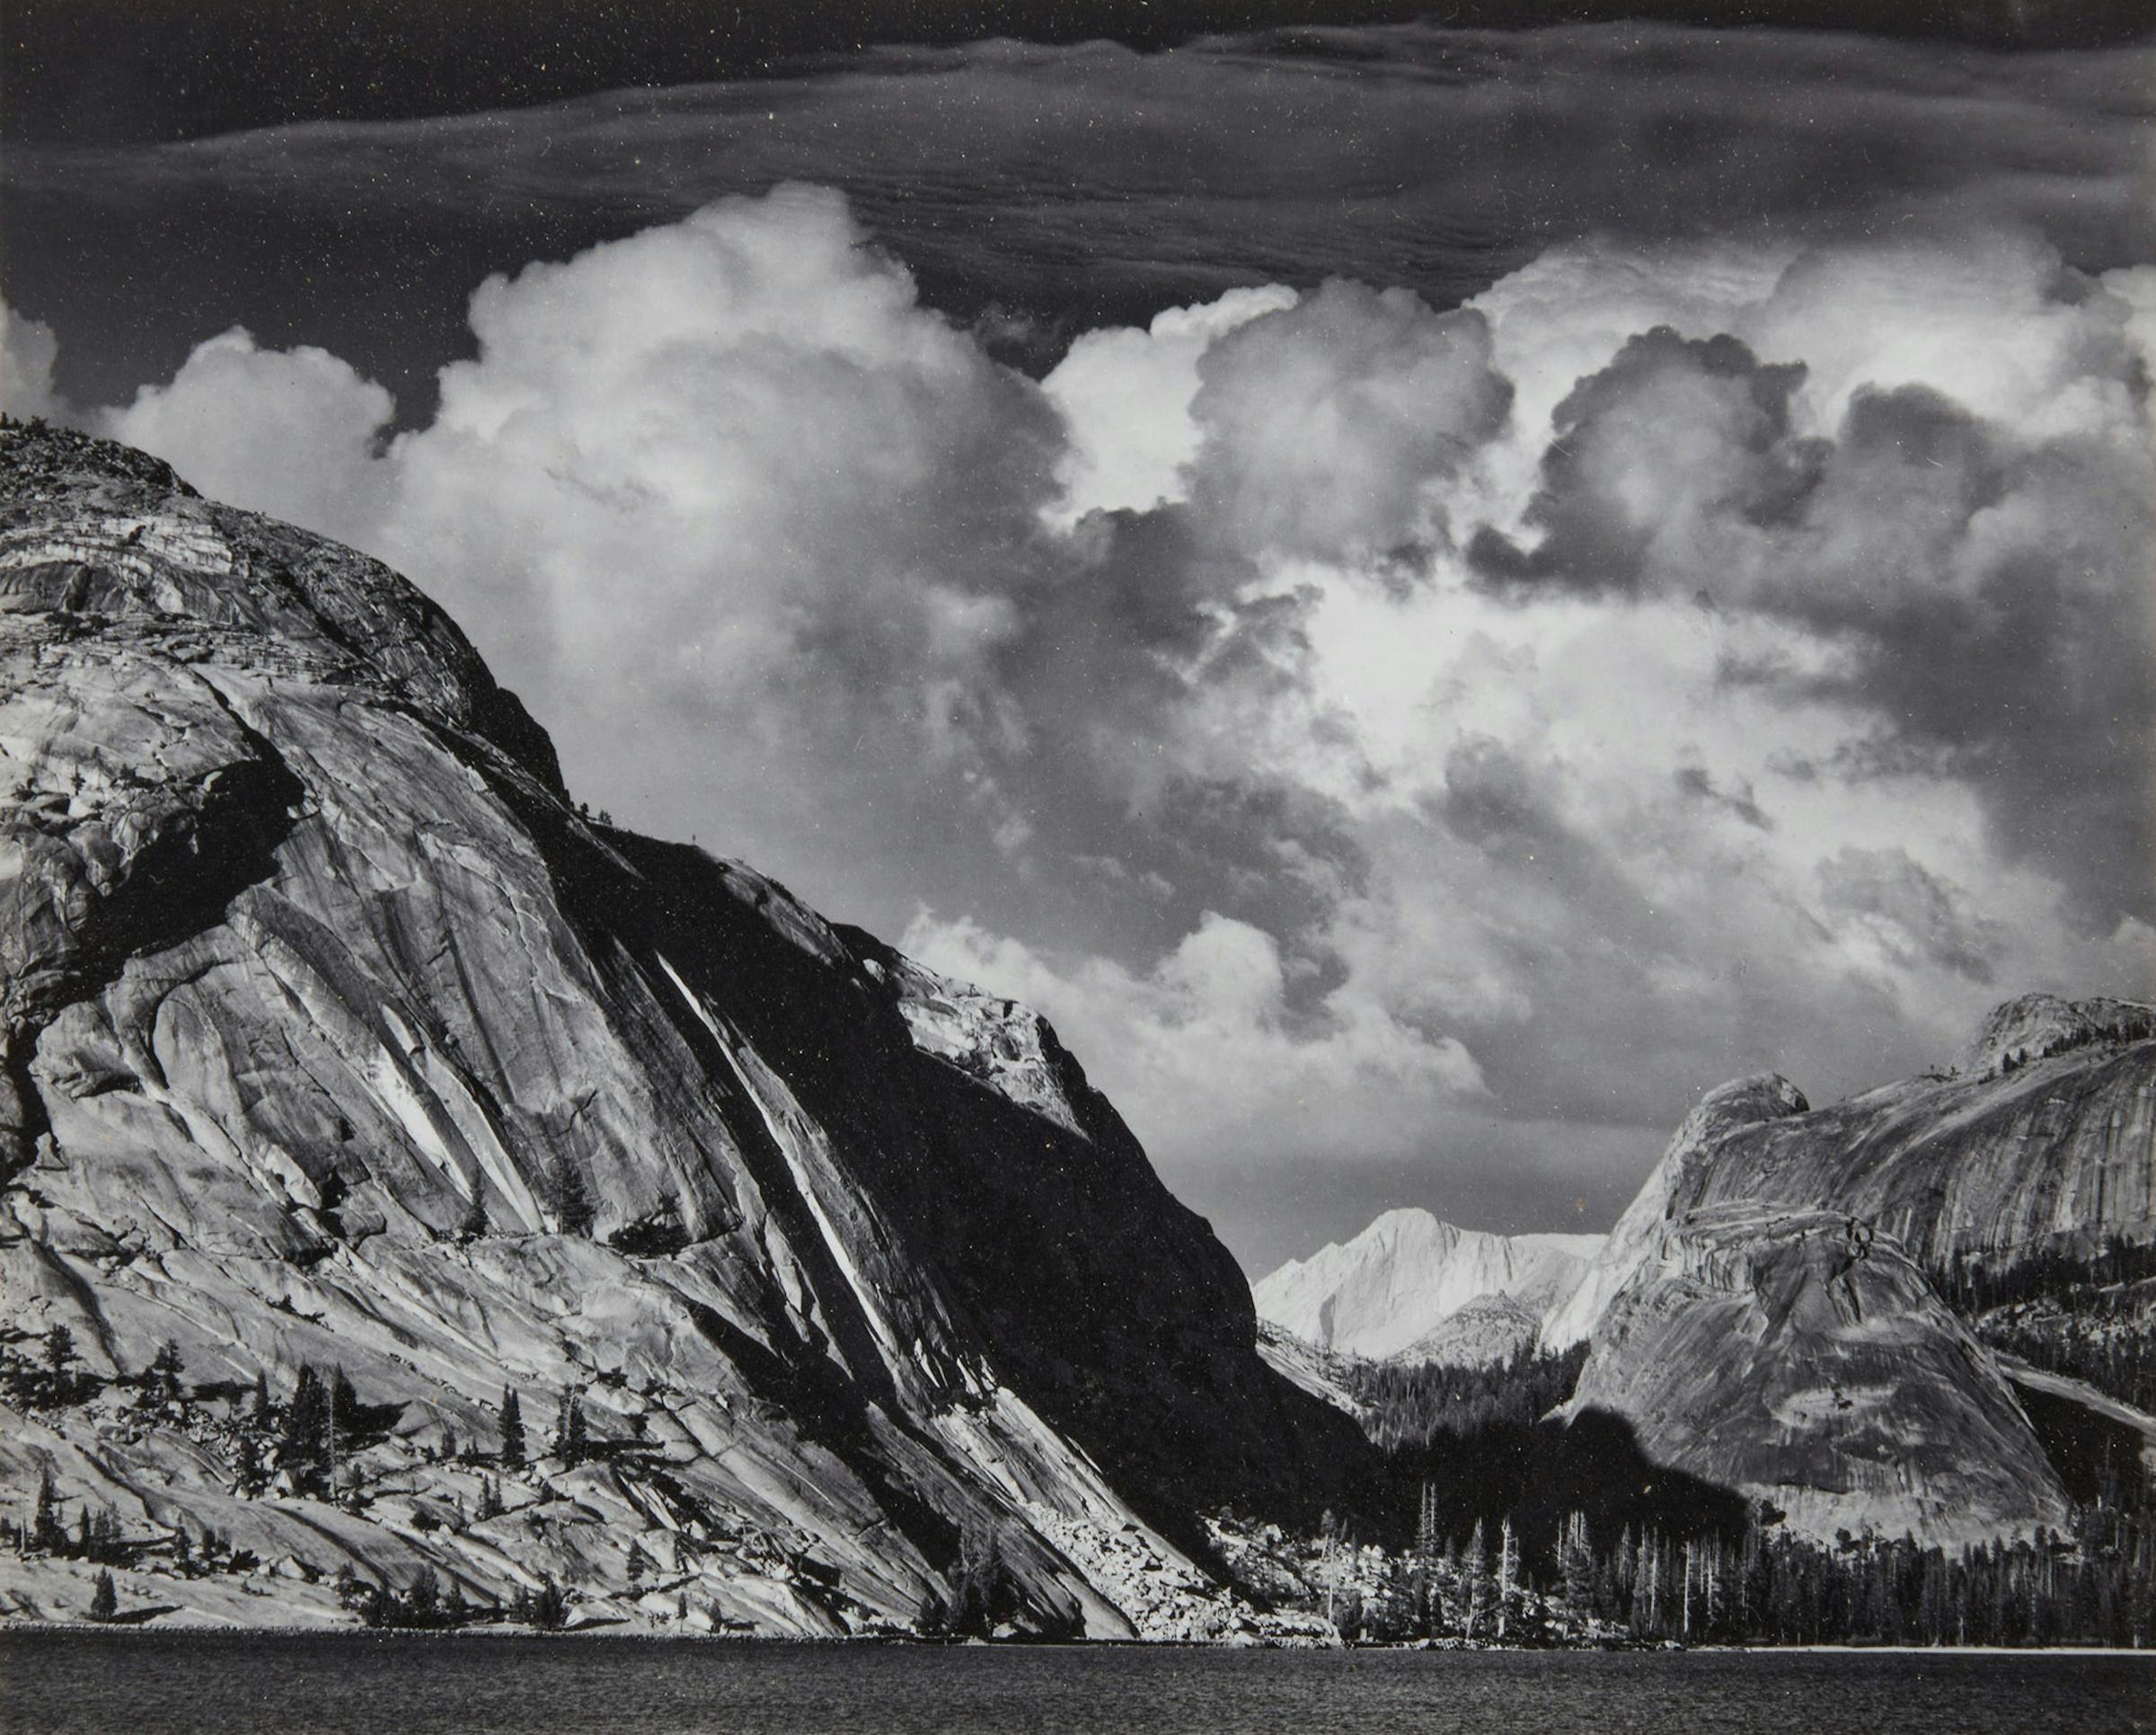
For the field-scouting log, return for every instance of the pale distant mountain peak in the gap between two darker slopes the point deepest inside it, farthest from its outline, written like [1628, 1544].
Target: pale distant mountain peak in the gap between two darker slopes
[1400, 1281]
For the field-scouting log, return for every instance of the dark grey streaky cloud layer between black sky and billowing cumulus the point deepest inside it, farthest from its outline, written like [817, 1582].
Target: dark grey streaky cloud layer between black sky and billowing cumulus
[1062, 191]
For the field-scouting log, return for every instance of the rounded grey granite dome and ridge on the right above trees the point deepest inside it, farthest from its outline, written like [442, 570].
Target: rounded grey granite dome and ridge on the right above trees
[1767, 1311]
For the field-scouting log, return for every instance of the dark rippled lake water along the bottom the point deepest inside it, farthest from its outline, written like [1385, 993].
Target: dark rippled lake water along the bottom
[148, 1684]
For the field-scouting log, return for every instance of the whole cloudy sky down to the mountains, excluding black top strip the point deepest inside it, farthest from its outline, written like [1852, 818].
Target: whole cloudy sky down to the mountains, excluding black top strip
[1426, 594]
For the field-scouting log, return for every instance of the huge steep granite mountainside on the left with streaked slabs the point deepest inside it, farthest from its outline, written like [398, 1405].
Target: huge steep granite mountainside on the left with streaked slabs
[335, 1033]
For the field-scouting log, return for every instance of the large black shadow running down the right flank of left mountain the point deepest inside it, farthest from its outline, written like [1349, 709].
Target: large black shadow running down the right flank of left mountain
[1101, 1299]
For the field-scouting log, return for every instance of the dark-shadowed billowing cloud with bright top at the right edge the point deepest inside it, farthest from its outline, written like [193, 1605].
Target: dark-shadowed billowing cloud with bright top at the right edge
[1959, 510]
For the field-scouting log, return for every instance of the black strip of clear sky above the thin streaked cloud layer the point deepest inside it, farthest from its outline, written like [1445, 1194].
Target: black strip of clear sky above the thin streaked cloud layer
[158, 70]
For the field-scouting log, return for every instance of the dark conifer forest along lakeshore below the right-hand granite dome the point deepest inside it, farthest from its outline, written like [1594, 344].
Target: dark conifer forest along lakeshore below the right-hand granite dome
[1495, 1523]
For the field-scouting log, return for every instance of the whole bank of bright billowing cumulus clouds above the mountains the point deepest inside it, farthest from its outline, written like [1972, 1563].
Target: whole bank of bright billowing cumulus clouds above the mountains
[1374, 734]
